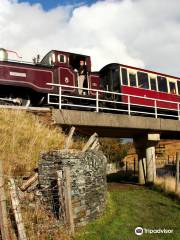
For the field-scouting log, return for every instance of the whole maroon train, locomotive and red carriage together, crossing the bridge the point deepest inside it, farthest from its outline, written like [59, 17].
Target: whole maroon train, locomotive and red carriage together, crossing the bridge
[23, 83]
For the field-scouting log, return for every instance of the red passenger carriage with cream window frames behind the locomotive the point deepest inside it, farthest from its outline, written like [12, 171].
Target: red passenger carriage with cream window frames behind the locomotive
[140, 82]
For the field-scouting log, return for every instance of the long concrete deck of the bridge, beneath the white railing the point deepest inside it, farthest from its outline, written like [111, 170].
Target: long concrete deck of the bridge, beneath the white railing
[117, 125]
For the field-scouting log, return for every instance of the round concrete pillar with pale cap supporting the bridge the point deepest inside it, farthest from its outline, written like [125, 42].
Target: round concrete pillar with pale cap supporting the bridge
[145, 148]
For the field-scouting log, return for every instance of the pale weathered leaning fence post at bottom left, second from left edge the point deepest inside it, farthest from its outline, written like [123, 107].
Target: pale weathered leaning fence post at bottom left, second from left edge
[17, 210]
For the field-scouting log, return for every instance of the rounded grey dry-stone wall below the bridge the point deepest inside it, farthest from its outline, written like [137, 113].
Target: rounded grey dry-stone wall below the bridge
[88, 175]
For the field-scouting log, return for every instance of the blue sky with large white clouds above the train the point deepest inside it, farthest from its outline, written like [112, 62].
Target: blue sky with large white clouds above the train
[140, 33]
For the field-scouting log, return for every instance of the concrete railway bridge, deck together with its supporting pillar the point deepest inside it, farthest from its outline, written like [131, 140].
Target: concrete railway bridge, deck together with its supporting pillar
[145, 131]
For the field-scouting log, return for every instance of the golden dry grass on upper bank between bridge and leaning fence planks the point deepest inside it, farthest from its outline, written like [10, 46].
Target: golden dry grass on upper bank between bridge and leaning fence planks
[22, 138]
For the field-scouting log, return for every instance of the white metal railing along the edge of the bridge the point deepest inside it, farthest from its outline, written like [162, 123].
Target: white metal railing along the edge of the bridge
[107, 101]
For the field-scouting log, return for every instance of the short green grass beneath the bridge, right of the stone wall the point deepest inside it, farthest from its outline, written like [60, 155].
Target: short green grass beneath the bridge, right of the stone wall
[127, 209]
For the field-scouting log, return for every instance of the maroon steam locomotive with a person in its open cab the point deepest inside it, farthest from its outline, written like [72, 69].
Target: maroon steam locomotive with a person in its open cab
[20, 81]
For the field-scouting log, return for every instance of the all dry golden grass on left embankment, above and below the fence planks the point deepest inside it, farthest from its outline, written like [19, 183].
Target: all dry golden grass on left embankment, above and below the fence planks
[23, 136]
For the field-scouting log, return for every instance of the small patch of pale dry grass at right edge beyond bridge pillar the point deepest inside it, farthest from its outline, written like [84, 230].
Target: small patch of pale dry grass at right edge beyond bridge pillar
[167, 183]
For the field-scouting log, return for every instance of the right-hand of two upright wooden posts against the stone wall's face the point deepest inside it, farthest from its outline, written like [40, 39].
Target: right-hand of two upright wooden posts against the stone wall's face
[68, 201]
